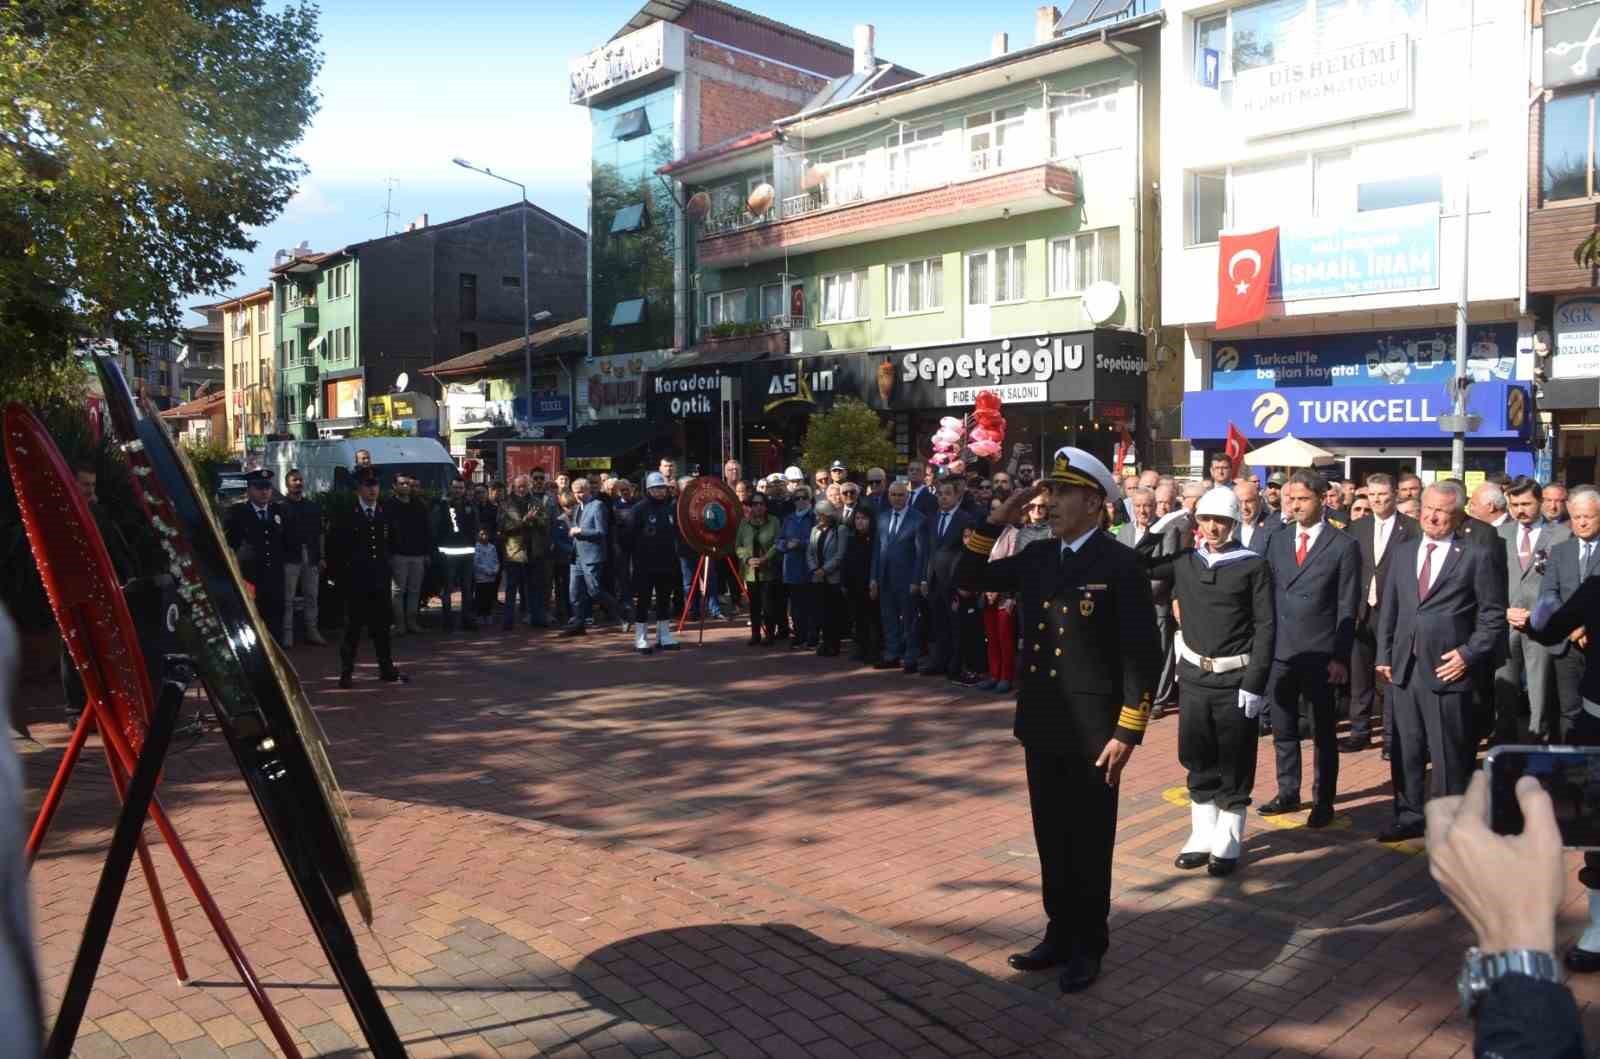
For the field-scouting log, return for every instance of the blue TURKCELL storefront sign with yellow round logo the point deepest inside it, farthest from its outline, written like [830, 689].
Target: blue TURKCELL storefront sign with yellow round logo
[1345, 414]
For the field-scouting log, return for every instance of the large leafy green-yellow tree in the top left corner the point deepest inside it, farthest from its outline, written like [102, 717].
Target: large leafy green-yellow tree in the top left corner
[138, 143]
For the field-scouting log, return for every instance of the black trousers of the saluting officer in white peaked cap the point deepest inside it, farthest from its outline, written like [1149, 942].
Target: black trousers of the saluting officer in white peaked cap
[1074, 828]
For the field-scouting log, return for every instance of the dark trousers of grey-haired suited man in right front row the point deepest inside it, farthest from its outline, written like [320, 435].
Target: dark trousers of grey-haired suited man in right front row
[1430, 727]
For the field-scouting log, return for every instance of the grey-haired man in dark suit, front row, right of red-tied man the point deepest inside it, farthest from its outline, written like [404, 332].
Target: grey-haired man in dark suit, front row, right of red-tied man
[1442, 620]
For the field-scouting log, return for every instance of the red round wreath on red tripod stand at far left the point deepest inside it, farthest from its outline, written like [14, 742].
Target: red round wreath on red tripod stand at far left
[100, 636]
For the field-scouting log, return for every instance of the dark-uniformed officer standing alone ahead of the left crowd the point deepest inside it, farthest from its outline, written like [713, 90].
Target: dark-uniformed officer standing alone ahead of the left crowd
[359, 561]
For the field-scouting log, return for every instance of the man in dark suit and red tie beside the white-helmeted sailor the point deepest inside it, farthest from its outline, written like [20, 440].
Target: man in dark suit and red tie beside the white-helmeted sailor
[1316, 573]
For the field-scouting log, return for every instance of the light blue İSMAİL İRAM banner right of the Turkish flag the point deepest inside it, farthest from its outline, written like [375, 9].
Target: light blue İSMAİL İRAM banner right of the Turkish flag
[1372, 254]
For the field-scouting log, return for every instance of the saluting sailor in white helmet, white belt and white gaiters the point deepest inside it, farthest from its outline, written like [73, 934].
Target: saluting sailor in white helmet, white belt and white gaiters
[1223, 604]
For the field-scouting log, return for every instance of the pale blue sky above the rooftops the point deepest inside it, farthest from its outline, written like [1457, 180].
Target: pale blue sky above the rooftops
[407, 86]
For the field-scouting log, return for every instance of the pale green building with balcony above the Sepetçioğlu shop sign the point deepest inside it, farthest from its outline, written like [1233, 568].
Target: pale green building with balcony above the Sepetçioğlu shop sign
[900, 239]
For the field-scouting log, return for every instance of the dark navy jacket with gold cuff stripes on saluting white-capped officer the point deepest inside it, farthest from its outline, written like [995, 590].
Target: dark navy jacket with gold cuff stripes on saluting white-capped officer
[1090, 649]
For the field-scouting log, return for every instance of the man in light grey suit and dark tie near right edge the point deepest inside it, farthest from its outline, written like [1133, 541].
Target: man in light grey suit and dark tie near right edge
[1529, 540]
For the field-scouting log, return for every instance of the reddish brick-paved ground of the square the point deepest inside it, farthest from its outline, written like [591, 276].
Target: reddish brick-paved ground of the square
[734, 852]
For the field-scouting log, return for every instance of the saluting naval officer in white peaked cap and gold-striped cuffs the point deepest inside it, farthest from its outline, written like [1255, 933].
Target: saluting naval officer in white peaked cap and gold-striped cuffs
[1086, 677]
